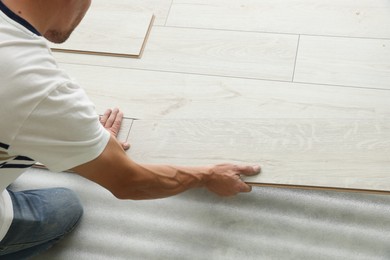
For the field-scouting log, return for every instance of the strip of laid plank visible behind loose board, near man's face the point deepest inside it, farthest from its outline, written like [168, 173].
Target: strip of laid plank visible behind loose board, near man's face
[160, 8]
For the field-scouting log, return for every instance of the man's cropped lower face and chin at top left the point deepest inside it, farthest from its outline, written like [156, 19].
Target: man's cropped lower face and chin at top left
[54, 19]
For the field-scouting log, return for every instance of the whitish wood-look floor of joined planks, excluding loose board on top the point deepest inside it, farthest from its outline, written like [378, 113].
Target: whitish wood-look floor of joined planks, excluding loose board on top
[301, 87]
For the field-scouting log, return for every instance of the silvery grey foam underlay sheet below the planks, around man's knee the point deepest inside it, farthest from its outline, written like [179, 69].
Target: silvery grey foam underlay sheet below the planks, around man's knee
[268, 223]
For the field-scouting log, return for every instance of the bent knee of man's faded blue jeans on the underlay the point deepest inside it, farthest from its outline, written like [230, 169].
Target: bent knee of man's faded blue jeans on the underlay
[41, 218]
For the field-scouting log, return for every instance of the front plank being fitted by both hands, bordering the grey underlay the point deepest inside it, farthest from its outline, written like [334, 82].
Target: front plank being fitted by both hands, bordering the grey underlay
[338, 153]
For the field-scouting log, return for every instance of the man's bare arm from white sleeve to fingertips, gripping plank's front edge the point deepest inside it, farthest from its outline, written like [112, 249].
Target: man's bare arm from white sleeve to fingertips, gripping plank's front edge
[126, 179]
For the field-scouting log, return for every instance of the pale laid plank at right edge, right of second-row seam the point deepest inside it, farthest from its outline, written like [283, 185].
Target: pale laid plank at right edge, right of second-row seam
[344, 61]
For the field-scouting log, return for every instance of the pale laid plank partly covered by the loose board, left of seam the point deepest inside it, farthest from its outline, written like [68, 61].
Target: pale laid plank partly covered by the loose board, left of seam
[236, 54]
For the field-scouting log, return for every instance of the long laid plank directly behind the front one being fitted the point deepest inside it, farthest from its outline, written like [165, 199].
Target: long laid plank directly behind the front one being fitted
[156, 95]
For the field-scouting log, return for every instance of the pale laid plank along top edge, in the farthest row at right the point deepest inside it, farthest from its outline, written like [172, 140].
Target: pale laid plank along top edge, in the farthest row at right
[356, 18]
